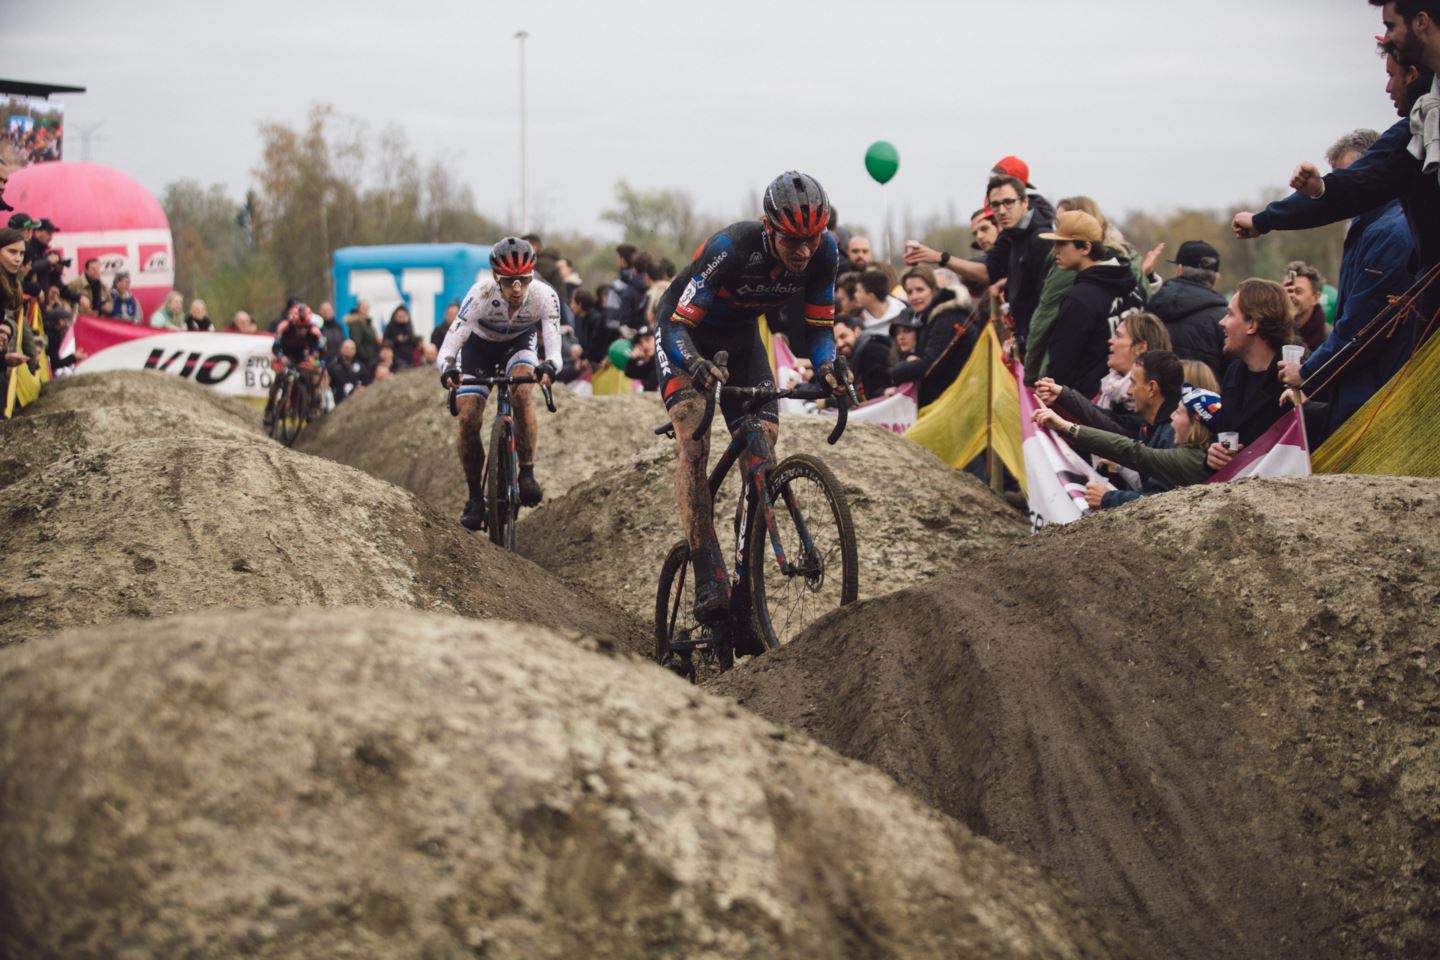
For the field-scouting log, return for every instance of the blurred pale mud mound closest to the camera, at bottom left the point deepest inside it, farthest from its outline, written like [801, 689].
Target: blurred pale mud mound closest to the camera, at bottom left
[361, 784]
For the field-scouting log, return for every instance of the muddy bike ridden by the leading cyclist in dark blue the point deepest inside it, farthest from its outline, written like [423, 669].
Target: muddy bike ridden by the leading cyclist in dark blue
[797, 507]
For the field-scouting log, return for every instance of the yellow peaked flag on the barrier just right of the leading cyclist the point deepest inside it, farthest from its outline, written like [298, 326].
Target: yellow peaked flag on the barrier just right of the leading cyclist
[983, 407]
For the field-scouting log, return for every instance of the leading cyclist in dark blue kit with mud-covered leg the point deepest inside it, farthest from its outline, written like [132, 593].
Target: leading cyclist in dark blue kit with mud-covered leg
[715, 304]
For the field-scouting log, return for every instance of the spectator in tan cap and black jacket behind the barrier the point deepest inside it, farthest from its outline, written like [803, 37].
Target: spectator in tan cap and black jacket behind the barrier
[1105, 291]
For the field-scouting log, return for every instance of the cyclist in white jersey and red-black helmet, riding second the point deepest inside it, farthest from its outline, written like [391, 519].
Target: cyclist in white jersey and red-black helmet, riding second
[499, 326]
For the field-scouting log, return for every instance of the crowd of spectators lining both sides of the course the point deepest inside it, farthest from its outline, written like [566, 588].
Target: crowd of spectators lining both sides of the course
[1141, 371]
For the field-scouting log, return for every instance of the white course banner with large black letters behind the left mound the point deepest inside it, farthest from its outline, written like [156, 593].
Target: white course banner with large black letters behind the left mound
[235, 365]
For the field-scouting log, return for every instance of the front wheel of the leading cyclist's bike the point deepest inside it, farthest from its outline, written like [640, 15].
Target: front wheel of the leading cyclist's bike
[786, 607]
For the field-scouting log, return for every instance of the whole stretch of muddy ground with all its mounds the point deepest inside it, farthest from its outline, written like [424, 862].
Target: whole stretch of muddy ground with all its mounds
[1212, 715]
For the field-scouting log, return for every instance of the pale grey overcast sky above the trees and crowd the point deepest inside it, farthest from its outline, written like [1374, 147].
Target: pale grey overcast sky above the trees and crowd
[1143, 104]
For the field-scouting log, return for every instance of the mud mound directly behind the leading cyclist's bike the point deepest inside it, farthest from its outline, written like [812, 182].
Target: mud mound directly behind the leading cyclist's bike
[915, 517]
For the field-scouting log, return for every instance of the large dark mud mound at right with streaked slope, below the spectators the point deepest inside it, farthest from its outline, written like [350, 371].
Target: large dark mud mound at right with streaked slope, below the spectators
[1215, 713]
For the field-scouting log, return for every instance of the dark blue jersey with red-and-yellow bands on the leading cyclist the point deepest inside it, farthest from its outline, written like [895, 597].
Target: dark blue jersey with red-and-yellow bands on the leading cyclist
[737, 279]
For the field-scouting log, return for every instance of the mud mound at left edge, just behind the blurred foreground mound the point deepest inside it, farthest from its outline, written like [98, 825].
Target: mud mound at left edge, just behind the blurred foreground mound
[133, 519]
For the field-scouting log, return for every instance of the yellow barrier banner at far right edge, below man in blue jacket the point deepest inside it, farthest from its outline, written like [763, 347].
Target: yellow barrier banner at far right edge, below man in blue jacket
[1393, 435]
